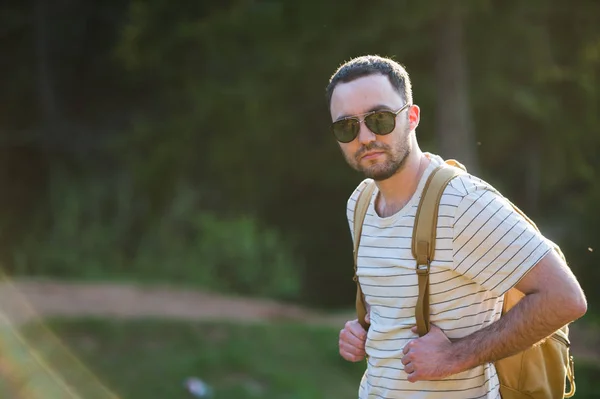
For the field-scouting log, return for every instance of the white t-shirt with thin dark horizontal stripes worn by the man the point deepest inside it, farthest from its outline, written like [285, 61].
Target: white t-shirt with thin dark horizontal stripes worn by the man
[484, 247]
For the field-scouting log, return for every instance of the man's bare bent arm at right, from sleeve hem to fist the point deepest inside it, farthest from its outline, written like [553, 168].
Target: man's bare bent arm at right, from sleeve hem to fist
[552, 299]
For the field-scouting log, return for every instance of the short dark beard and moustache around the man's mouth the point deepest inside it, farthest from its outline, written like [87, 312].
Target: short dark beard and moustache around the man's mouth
[394, 159]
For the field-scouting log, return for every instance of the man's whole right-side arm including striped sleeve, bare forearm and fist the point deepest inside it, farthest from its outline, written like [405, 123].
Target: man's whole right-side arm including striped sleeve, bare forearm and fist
[497, 249]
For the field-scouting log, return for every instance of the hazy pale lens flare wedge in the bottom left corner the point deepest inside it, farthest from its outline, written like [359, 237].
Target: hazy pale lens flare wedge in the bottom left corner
[34, 363]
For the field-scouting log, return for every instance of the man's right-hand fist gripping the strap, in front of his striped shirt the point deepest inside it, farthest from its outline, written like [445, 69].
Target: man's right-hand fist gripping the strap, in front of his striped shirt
[428, 357]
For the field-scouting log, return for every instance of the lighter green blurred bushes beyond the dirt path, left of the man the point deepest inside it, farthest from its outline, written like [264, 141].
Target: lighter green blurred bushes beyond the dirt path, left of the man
[98, 228]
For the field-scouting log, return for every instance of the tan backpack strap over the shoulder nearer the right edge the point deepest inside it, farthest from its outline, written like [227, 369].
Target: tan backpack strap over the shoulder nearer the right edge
[424, 236]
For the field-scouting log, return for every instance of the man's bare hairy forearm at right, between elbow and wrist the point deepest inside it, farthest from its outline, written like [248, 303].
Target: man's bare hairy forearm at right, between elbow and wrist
[533, 318]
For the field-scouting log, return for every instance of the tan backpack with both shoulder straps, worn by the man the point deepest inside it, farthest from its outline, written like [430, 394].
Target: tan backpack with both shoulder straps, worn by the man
[539, 372]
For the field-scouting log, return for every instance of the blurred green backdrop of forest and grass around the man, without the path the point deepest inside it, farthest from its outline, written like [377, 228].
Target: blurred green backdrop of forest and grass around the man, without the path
[186, 143]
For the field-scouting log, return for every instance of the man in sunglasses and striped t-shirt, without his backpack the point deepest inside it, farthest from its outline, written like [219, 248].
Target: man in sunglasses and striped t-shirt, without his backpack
[483, 249]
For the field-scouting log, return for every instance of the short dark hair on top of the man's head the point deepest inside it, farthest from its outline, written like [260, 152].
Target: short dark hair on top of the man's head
[371, 65]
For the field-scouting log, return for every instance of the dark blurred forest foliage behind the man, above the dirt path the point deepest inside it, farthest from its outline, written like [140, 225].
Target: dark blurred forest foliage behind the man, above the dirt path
[227, 98]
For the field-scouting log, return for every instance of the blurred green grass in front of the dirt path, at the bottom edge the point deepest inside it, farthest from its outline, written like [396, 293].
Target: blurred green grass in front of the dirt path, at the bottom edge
[151, 359]
